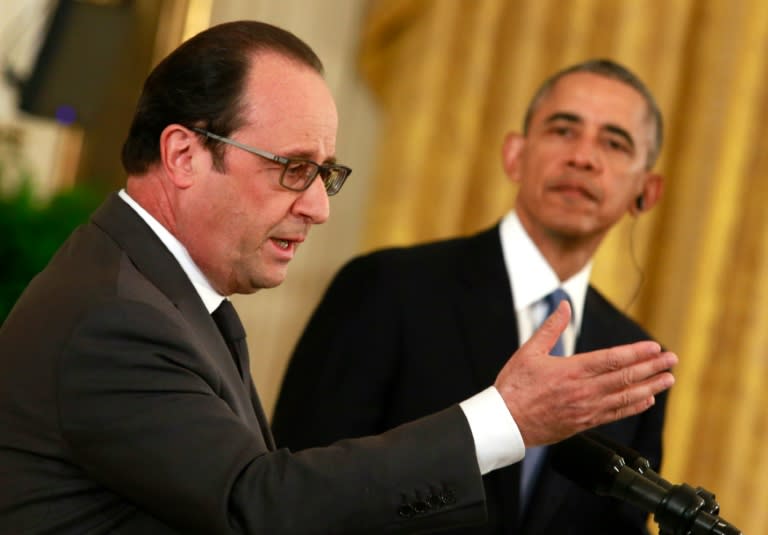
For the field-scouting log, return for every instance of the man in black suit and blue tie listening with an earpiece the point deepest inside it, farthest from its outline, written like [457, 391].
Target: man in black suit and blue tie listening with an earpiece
[402, 332]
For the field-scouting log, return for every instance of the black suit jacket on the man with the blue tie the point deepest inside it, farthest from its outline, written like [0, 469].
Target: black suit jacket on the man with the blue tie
[401, 332]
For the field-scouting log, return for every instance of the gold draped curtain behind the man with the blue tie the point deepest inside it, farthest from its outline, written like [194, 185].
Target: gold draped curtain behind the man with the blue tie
[452, 76]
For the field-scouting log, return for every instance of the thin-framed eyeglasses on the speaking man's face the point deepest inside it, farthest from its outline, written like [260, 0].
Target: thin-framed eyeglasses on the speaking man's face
[298, 173]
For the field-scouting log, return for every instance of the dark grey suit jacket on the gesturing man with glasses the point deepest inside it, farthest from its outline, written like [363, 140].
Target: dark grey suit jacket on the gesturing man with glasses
[122, 411]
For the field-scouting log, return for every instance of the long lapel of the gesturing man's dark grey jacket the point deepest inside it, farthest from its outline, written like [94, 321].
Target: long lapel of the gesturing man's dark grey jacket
[150, 256]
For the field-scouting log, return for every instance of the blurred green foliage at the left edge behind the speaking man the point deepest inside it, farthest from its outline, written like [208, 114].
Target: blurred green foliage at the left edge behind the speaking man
[32, 230]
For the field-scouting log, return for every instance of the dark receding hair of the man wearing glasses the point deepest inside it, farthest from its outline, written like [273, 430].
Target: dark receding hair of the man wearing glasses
[200, 84]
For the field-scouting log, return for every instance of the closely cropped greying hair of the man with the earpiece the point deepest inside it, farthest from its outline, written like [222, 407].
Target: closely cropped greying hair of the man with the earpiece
[609, 69]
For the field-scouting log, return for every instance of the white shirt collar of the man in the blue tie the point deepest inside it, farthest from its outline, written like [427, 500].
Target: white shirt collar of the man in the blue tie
[531, 277]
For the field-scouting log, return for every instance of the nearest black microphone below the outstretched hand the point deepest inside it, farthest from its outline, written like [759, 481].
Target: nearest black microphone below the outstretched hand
[678, 509]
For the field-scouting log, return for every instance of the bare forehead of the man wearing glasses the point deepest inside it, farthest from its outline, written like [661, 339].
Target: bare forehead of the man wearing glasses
[289, 104]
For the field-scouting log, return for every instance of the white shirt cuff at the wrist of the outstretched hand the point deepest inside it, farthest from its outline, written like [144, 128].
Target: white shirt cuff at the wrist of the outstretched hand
[498, 442]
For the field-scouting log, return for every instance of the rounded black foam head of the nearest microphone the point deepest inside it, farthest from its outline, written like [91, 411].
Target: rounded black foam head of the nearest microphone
[586, 462]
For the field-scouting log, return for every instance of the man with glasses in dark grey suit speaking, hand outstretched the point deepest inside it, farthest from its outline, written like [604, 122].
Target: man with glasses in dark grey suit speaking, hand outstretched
[126, 400]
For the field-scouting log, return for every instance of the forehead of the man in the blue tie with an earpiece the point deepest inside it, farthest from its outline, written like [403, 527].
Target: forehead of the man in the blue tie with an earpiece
[598, 100]
